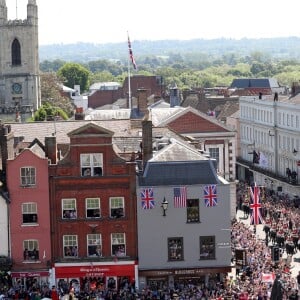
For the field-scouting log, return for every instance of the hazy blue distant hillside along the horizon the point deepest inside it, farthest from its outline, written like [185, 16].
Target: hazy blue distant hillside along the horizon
[280, 48]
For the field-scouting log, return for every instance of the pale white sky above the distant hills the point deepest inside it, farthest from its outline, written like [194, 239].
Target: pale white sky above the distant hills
[102, 21]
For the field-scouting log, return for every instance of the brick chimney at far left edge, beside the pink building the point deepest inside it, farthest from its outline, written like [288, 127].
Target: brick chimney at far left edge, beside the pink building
[6, 144]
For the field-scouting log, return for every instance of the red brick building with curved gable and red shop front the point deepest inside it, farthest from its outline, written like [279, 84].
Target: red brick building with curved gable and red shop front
[93, 210]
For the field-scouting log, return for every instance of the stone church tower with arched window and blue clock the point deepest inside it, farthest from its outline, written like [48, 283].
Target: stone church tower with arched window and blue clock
[19, 62]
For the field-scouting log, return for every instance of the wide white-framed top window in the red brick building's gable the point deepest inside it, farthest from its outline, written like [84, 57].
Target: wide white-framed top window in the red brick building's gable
[91, 164]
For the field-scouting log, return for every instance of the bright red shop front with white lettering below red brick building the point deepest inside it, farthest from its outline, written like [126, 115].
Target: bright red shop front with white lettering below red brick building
[95, 275]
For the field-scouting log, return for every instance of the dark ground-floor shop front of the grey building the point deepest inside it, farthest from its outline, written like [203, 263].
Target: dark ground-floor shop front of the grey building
[175, 278]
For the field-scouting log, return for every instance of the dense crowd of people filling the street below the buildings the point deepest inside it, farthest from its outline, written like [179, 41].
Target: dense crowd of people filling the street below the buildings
[258, 277]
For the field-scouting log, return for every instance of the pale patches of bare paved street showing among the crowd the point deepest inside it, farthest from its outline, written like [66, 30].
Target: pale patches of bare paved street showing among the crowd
[260, 234]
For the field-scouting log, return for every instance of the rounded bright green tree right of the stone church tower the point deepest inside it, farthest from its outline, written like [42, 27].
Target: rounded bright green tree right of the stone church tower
[75, 74]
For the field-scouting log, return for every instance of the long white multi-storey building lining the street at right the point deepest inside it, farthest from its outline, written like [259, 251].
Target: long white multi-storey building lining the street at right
[270, 129]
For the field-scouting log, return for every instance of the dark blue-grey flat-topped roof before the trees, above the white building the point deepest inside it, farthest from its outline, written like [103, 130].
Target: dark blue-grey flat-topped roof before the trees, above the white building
[254, 83]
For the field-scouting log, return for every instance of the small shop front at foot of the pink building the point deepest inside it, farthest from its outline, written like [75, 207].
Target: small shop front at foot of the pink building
[27, 279]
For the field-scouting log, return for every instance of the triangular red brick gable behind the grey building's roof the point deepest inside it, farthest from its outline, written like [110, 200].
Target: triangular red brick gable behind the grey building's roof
[193, 123]
